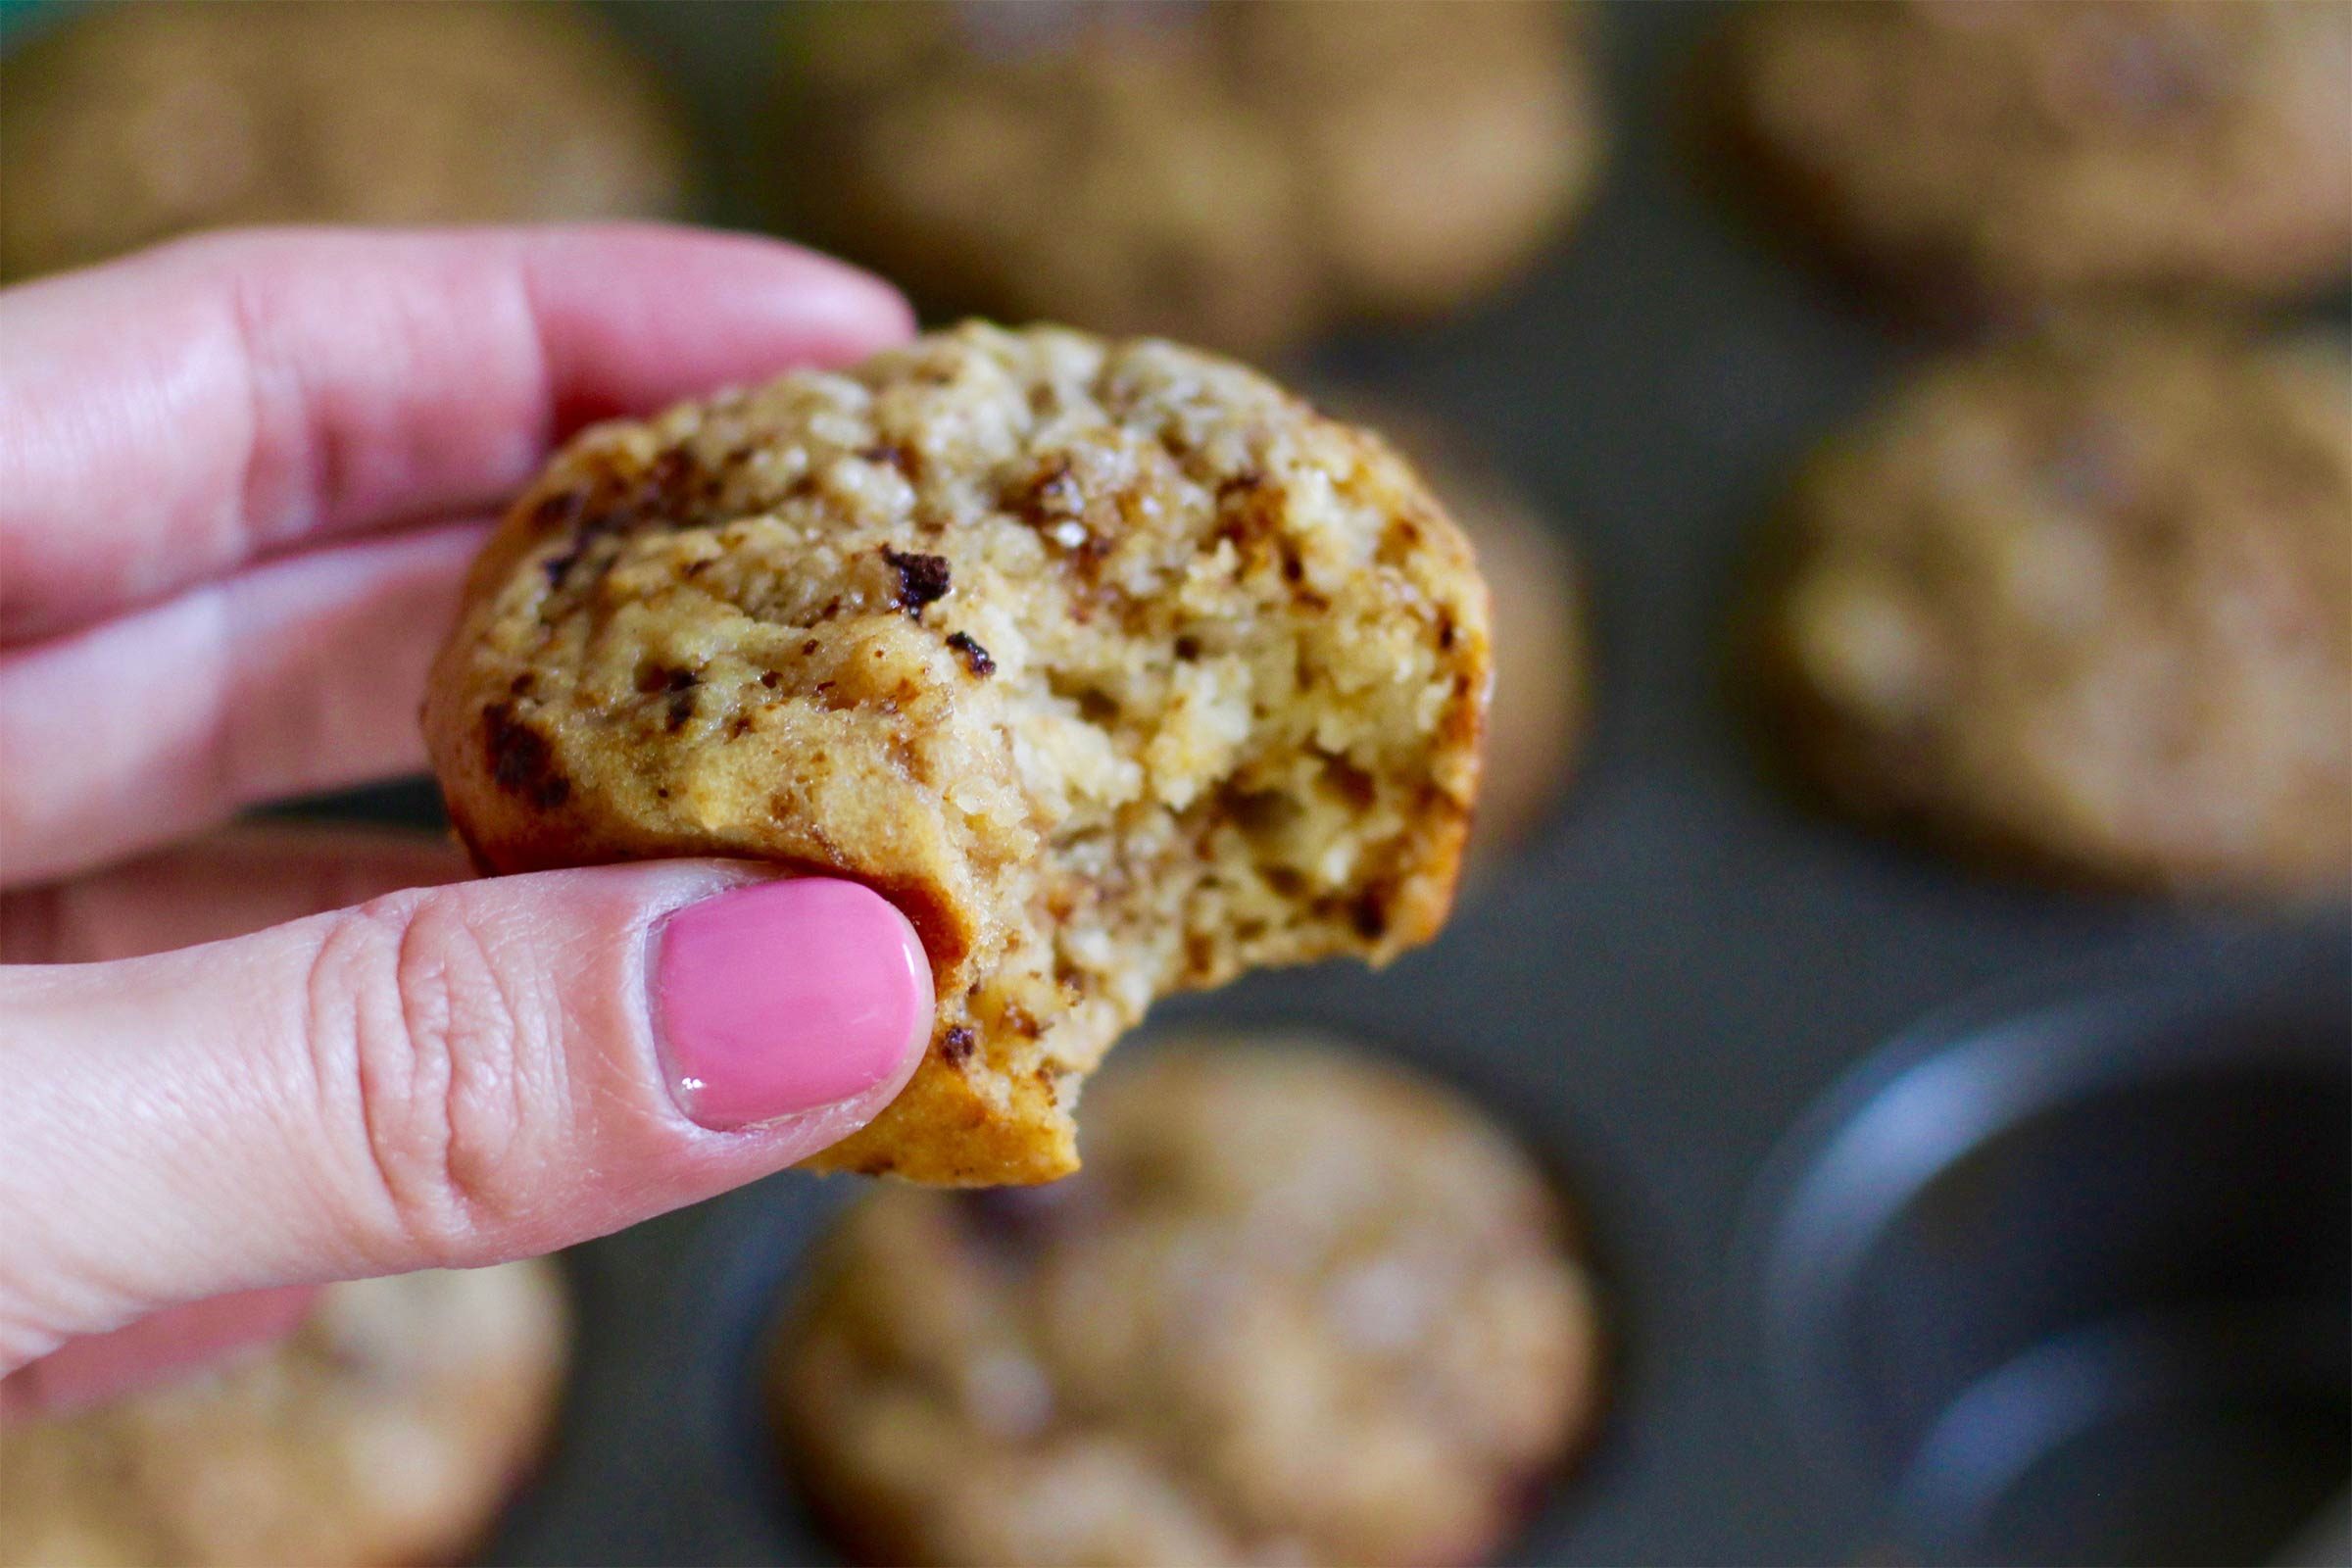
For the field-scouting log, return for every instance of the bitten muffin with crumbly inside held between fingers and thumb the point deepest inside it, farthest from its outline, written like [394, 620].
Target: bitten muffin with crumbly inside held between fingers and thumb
[1116, 666]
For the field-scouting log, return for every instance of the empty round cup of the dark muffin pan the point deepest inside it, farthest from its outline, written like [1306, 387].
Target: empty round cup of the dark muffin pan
[2069, 1278]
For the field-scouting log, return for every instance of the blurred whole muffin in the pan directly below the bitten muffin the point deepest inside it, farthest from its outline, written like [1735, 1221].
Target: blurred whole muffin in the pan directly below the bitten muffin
[1302, 1308]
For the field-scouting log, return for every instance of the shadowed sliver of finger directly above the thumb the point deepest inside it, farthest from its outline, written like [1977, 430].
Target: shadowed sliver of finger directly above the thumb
[225, 885]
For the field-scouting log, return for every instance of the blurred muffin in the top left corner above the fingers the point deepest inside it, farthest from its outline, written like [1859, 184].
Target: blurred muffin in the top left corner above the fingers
[133, 123]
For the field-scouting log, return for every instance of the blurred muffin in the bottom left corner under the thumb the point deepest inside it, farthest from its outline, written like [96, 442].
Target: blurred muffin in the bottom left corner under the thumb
[389, 1430]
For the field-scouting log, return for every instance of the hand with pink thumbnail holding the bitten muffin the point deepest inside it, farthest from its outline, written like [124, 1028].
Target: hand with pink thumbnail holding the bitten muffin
[241, 481]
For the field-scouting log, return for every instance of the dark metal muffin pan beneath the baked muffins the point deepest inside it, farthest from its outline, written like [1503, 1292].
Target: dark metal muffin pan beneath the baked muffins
[2050, 1278]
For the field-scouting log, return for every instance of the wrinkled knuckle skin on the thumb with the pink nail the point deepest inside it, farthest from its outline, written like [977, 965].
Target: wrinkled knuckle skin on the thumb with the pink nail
[432, 1050]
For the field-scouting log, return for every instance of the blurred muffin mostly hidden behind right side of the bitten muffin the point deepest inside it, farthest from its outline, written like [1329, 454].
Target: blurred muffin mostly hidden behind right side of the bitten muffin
[1542, 638]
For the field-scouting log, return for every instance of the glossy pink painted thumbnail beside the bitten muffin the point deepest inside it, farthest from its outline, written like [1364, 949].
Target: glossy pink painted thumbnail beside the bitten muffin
[784, 998]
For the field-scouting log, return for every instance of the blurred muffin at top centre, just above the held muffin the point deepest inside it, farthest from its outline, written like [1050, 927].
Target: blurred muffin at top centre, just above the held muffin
[1229, 175]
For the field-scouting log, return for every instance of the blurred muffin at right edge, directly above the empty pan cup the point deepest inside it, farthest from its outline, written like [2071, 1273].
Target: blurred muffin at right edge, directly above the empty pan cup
[2090, 605]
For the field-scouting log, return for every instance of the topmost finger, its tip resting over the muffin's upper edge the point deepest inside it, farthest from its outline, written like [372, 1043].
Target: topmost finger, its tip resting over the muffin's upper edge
[218, 401]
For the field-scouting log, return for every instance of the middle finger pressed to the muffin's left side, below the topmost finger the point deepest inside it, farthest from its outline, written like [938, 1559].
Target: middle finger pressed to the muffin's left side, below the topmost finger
[295, 676]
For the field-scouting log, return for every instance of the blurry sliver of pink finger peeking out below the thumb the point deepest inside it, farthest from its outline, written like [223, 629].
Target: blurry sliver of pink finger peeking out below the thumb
[152, 1351]
